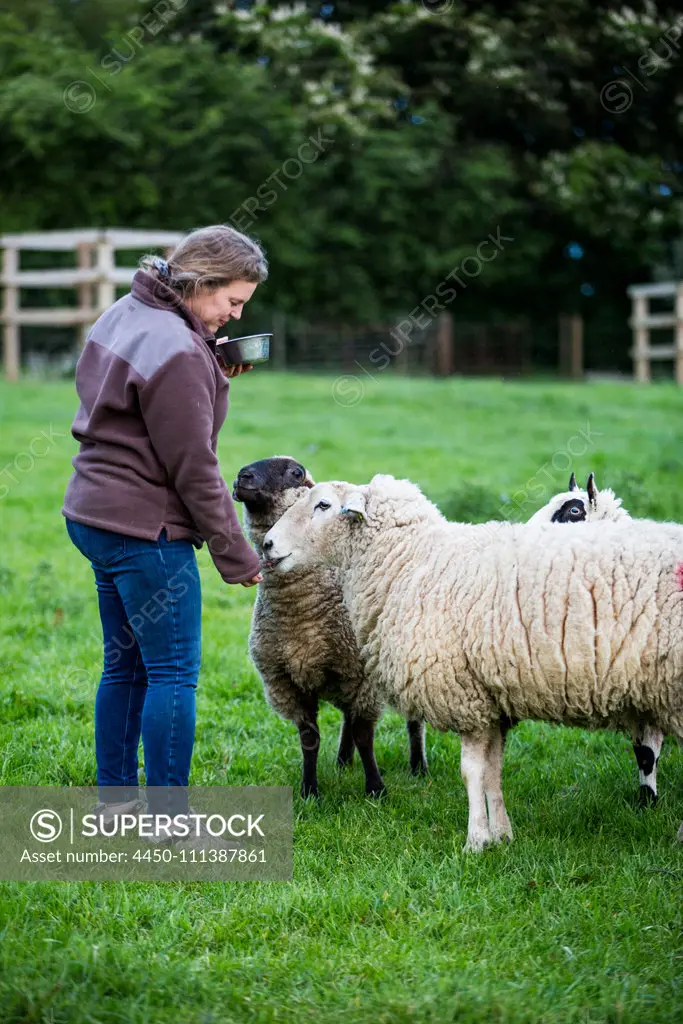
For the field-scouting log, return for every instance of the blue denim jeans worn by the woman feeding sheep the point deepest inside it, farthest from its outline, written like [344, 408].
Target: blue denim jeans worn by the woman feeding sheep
[151, 609]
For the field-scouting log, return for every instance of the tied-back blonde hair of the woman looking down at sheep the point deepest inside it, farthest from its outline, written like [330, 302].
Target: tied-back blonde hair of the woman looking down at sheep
[209, 259]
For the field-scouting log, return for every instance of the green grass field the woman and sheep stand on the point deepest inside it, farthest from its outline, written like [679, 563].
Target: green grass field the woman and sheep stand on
[387, 920]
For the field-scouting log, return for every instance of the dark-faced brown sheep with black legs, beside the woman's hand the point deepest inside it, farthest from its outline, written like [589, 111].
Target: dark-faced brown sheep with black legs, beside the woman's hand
[302, 641]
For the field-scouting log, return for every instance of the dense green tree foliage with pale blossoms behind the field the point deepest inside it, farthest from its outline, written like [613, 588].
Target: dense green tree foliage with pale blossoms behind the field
[439, 129]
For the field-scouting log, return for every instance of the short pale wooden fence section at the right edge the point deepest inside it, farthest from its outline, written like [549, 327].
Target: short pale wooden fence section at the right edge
[643, 322]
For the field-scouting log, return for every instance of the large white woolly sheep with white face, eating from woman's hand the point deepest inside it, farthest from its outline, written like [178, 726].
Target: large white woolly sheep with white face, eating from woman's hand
[582, 627]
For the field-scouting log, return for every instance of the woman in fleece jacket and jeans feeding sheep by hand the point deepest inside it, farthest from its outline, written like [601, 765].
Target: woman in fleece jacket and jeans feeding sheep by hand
[147, 490]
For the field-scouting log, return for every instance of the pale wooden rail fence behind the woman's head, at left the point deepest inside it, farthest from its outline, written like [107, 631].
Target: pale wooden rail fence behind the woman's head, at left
[96, 278]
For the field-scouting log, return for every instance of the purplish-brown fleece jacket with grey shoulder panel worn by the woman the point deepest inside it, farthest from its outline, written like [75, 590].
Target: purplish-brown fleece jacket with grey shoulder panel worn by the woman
[153, 401]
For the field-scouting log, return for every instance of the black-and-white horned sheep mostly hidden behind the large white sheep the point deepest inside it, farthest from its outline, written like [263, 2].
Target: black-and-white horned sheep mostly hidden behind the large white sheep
[576, 506]
